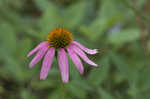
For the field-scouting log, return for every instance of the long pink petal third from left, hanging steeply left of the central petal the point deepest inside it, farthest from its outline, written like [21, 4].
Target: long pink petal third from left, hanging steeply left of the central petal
[47, 63]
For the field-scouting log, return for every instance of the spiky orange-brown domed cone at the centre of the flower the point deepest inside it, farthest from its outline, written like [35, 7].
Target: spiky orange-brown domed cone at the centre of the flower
[59, 38]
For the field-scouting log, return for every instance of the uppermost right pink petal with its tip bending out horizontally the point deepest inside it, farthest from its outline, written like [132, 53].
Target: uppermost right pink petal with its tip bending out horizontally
[89, 51]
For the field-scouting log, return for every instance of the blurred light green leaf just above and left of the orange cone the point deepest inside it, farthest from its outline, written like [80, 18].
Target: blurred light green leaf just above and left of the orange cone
[50, 19]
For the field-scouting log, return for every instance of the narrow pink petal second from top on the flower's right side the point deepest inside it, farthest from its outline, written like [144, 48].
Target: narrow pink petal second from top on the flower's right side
[83, 55]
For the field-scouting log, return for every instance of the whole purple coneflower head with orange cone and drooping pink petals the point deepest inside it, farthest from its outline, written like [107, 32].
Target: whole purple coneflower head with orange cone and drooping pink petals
[61, 40]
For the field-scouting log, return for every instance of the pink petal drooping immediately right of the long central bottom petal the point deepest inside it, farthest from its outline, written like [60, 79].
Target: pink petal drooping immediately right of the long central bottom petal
[76, 60]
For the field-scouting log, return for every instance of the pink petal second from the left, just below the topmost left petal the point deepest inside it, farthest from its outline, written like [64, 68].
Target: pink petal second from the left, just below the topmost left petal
[38, 56]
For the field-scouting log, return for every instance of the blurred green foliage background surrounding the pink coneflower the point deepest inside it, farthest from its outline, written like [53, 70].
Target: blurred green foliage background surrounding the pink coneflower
[118, 28]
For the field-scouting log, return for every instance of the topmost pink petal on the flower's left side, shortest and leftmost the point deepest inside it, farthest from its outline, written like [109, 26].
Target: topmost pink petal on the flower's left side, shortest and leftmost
[42, 44]
